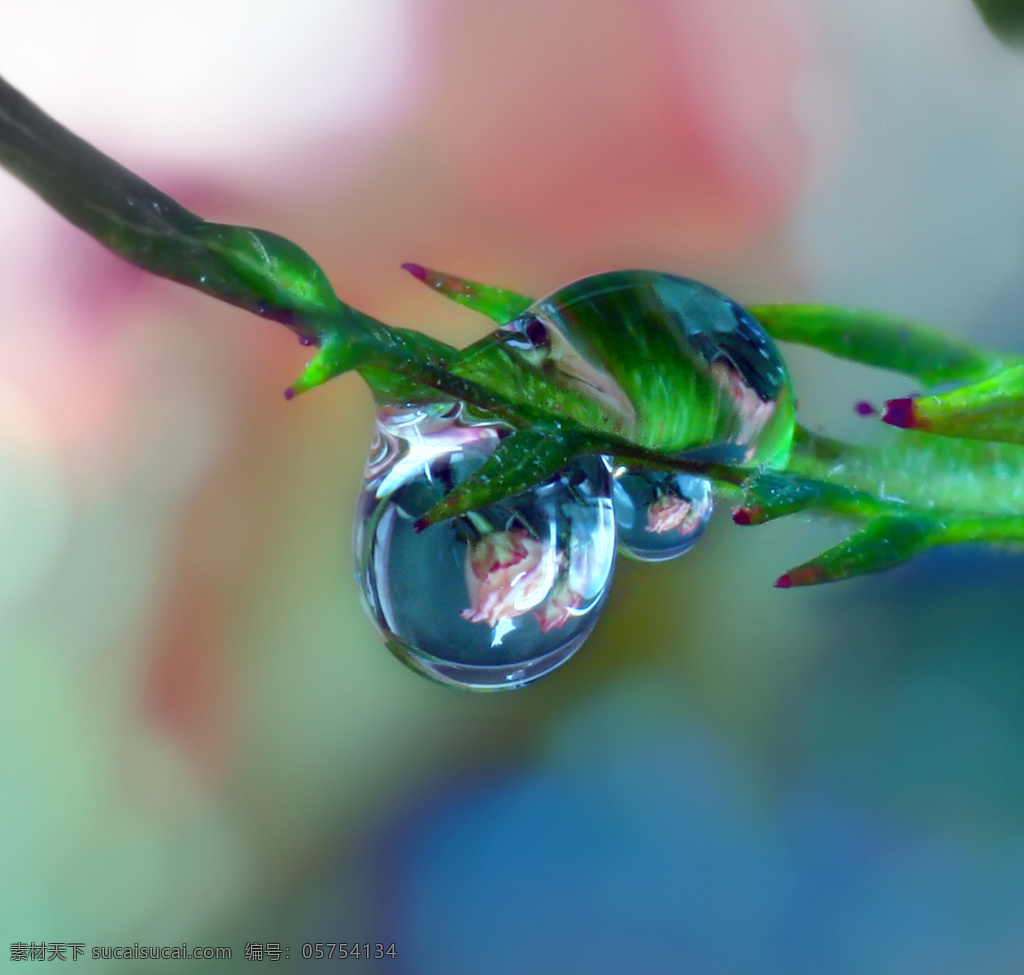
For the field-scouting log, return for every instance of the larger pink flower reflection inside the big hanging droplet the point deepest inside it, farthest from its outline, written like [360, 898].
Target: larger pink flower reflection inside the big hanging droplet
[507, 575]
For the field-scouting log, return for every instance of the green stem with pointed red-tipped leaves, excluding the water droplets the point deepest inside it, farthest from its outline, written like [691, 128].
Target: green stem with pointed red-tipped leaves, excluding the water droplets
[949, 476]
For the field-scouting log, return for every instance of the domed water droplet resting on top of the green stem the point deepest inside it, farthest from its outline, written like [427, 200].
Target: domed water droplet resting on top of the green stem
[673, 365]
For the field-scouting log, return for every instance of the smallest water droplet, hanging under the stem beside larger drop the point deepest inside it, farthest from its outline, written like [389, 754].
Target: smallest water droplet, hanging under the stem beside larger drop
[659, 515]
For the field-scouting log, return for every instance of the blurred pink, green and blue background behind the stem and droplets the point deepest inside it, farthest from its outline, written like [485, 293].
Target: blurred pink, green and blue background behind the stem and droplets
[202, 740]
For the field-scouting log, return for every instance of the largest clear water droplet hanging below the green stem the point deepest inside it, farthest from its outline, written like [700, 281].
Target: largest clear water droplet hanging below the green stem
[493, 600]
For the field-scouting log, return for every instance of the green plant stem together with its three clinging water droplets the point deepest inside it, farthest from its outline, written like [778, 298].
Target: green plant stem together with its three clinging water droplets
[605, 418]
